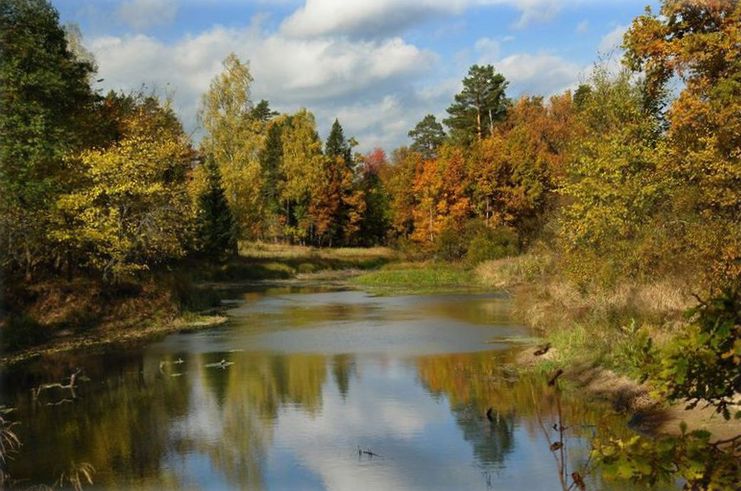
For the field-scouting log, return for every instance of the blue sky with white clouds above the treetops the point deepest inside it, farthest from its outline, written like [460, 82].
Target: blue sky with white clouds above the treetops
[377, 65]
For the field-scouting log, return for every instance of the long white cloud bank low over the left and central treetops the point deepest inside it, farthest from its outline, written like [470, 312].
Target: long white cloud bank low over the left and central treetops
[325, 75]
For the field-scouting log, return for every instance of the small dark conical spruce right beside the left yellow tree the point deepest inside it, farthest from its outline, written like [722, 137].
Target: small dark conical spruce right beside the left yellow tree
[215, 227]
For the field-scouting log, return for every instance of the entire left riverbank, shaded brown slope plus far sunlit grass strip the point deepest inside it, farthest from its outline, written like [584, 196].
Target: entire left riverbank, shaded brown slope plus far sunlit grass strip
[60, 314]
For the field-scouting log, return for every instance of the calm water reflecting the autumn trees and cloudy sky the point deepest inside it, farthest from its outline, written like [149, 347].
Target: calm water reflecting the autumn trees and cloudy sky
[309, 378]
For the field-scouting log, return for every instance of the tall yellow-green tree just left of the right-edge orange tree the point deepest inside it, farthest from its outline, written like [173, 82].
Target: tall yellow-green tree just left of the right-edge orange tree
[612, 186]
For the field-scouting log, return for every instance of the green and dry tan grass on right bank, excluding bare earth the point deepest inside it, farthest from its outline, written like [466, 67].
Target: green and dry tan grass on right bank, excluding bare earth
[604, 326]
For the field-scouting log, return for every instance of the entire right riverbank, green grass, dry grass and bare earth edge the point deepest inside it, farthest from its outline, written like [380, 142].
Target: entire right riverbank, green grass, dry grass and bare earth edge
[596, 336]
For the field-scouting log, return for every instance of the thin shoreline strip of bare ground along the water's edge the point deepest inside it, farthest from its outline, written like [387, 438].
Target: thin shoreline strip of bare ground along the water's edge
[645, 412]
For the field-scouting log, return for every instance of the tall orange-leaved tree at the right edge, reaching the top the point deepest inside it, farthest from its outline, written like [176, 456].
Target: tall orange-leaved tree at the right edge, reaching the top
[697, 42]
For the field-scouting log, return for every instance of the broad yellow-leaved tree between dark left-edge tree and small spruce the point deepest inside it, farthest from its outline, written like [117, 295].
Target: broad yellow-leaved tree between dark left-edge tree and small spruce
[130, 210]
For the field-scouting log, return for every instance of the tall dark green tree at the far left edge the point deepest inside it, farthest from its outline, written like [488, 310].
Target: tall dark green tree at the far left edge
[45, 99]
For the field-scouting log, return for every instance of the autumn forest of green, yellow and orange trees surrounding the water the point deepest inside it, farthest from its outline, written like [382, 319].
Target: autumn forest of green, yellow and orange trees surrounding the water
[631, 179]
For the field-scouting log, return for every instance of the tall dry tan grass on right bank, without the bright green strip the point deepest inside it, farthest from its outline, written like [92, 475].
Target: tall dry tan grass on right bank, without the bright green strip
[604, 326]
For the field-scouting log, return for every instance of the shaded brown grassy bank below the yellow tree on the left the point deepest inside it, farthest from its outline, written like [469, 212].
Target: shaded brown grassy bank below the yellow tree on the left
[59, 314]
